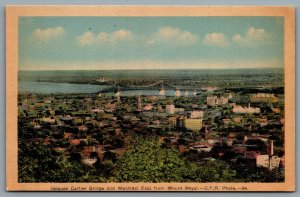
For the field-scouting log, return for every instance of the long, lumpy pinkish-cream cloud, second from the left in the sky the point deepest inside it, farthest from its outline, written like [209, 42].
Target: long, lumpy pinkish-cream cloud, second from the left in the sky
[89, 38]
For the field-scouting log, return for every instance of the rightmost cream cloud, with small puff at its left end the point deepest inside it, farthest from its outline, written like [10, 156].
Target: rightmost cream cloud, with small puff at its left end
[252, 37]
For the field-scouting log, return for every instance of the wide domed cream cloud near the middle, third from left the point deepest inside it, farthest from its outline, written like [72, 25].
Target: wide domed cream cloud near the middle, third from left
[173, 36]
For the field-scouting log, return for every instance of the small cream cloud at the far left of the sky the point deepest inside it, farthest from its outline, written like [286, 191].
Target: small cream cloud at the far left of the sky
[45, 35]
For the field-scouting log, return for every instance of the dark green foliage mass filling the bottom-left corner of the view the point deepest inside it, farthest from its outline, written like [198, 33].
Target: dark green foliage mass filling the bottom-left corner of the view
[38, 163]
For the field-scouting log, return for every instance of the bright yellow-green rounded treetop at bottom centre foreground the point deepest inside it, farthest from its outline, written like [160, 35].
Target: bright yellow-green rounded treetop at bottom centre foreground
[146, 161]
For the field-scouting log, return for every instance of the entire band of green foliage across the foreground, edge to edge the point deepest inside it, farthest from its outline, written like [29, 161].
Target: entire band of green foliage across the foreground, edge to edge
[144, 161]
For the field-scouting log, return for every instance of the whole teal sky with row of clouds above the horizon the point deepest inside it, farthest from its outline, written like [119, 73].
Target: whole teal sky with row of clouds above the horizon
[105, 43]
